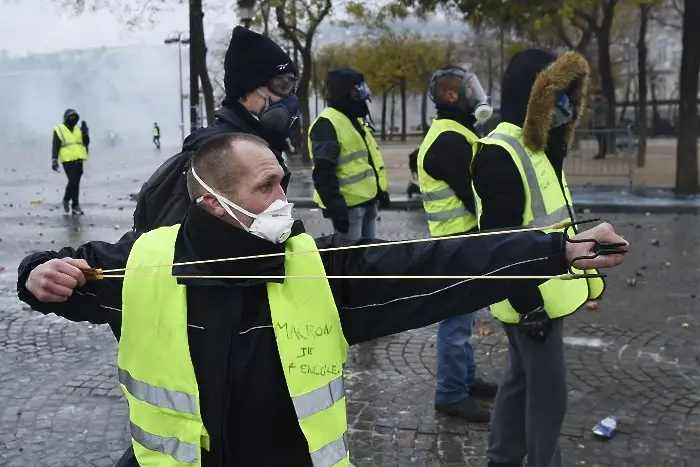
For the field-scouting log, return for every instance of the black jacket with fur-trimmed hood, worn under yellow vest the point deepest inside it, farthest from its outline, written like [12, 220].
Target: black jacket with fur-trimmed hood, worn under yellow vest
[497, 180]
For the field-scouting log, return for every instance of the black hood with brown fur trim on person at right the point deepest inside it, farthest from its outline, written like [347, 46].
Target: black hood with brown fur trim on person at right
[530, 84]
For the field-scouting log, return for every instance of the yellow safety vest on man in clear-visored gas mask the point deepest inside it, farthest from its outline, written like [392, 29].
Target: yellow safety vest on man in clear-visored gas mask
[446, 213]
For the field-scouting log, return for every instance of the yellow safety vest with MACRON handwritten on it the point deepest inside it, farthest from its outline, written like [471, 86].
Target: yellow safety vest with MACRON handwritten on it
[158, 378]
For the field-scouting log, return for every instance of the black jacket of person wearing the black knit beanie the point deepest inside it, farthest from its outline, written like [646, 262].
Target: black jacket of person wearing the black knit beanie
[163, 199]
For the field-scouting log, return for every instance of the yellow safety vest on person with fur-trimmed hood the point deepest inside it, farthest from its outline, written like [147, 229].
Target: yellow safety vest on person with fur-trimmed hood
[546, 203]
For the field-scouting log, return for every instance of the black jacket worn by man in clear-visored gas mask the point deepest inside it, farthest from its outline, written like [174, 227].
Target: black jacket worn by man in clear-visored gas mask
[449, 158]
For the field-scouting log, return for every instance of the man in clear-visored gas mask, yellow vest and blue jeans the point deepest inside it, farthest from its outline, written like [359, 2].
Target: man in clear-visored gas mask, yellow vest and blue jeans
[444, 175]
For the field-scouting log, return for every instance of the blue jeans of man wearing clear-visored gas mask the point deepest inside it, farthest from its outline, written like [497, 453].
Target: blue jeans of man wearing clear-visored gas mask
[456, 368]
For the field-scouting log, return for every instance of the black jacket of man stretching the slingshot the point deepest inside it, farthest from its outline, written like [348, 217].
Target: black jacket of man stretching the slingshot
[245, 403]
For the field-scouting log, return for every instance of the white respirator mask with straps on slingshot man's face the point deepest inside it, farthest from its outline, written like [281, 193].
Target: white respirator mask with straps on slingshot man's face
[274, 224]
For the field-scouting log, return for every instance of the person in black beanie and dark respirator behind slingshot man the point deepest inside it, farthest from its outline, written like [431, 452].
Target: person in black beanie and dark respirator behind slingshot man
[260, 82]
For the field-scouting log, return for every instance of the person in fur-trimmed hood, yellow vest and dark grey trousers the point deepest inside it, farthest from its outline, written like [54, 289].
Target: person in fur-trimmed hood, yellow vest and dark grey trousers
[518, 181]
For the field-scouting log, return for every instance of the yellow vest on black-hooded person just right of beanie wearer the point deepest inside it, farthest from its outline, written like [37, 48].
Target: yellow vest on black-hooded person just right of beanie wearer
[357, 178]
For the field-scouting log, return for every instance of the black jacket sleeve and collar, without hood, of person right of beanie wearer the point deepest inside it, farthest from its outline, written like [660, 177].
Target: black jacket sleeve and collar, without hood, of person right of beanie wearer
[326, 150]
